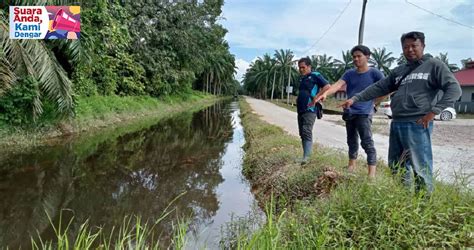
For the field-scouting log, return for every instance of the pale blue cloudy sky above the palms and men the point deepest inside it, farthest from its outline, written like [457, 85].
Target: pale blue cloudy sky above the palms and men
[256, 27]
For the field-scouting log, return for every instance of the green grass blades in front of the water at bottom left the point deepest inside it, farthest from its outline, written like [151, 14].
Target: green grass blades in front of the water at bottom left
[133, 233]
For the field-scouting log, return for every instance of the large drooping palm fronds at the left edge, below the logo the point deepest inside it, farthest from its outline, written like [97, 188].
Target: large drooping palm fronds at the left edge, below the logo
[20, 58]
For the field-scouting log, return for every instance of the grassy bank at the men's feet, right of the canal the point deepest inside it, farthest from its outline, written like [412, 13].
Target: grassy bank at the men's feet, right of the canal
[320, 205]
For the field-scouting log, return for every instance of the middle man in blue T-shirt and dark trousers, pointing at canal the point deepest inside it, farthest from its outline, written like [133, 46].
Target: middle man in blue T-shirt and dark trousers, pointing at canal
[358, 117]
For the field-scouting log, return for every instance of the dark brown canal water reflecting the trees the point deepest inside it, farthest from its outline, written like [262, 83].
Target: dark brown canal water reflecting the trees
[137, 173]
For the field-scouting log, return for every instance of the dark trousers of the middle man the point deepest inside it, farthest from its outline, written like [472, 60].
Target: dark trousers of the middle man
[360, 126]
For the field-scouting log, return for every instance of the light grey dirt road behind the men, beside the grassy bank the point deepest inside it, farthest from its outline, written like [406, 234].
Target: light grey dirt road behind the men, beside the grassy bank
[450, 159]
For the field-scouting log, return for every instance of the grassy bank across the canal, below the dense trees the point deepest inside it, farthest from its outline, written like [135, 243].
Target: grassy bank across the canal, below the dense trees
[101, 114]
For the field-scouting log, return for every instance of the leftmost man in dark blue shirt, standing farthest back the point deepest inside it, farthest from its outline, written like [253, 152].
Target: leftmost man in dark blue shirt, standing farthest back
[311, 83]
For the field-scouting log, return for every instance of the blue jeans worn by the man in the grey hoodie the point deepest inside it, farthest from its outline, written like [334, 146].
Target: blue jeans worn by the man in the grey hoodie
[410, 150]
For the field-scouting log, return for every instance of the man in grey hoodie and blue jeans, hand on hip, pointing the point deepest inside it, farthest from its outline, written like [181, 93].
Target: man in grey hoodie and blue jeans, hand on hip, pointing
[414, 104]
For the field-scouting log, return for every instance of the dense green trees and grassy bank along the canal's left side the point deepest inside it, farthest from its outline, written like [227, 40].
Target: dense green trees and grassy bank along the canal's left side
[143, 61]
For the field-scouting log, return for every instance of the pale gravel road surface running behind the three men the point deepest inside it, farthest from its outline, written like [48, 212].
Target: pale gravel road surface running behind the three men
[453, 141]
